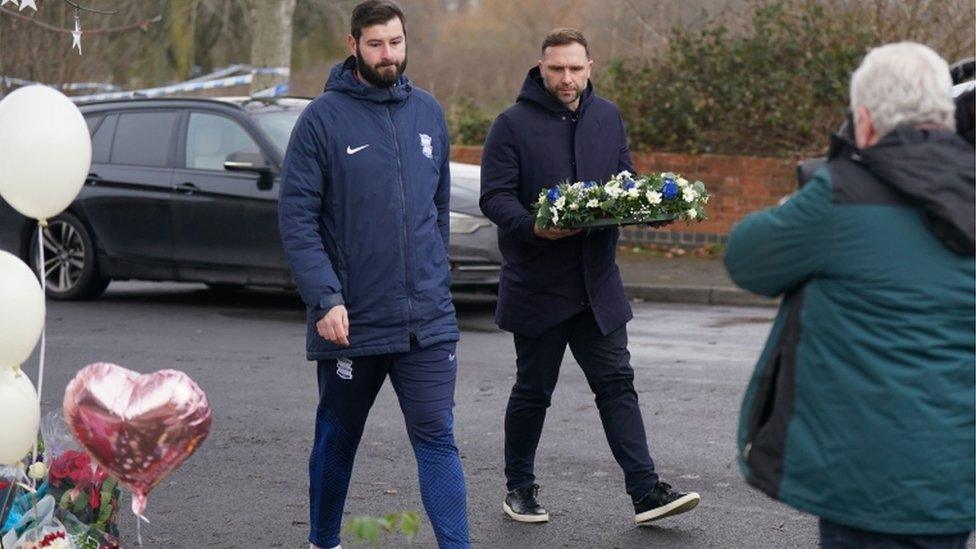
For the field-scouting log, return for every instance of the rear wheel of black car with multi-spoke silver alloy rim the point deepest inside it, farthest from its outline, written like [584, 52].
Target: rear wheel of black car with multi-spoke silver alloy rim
[69, 260]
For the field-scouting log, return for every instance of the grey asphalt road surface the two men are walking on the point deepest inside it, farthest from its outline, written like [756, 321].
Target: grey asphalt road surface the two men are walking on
[247, 484]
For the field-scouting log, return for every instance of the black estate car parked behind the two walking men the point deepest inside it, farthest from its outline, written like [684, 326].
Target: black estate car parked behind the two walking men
[187, 190]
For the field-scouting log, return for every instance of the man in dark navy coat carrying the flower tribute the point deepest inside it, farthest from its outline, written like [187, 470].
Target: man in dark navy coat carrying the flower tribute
[562, 287]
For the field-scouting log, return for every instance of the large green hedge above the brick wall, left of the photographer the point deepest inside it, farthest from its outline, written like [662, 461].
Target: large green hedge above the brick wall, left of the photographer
[778, 87]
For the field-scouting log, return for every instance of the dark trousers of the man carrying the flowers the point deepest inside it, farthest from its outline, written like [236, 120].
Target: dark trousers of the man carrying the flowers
[605, 361]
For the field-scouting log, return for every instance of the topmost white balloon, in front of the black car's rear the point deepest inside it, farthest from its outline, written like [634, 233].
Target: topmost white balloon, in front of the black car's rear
[45, 151]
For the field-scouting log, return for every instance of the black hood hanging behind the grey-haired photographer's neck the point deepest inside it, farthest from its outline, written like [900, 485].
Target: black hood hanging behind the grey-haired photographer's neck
[934, 169]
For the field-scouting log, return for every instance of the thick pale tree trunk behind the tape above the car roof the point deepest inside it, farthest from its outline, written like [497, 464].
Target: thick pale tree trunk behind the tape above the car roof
[271, 32]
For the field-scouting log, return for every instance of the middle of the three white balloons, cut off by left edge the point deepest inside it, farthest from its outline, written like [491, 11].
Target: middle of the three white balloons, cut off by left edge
[22, 311]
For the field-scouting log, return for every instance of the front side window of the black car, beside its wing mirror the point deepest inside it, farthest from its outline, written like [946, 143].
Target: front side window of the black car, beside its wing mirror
[210, 139]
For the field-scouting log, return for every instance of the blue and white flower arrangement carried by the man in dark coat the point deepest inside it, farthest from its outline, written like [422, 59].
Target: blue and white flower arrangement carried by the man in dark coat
[625, 199]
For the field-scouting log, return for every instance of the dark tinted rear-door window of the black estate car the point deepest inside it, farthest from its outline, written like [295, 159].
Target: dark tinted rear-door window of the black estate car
[143, 138]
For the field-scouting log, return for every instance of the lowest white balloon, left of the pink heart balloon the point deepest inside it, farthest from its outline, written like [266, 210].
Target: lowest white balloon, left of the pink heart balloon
[20, 415]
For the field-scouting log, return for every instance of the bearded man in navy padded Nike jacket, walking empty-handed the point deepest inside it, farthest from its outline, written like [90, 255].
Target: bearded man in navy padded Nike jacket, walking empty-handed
[364, 219]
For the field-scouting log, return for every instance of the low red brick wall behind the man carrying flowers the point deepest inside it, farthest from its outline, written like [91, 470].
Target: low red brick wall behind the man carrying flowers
[738, 185]
